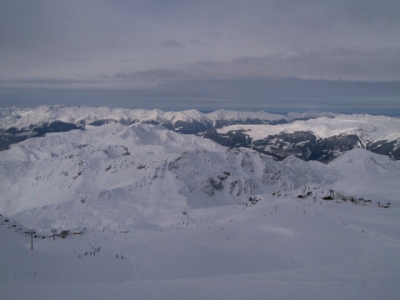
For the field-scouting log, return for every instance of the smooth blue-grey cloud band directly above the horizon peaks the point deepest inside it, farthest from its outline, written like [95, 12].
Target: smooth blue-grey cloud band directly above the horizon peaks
[273, 95]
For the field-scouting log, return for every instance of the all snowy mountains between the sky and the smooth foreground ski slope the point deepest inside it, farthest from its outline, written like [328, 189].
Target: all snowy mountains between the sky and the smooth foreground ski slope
[97, 176]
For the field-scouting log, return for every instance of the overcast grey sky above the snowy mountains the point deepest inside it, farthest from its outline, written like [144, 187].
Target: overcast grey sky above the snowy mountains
[277, 56]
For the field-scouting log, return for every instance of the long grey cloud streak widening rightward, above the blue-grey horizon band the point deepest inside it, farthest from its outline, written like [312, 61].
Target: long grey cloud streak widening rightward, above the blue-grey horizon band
[336, 65]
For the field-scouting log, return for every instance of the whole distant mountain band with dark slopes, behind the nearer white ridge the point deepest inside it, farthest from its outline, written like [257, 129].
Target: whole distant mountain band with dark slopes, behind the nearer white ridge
[309, 136]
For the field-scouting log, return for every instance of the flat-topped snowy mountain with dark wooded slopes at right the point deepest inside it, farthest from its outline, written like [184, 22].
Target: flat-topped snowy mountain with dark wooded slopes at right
[321, 139]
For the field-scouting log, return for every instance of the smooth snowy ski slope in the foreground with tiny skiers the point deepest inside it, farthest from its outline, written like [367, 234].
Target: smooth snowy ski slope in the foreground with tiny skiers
[304, 249]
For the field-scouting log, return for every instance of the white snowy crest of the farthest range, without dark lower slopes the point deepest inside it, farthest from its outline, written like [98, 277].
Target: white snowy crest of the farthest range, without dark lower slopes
[21, 118]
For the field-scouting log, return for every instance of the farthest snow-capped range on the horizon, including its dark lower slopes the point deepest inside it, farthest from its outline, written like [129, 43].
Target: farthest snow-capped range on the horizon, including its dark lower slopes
[17, 124]
